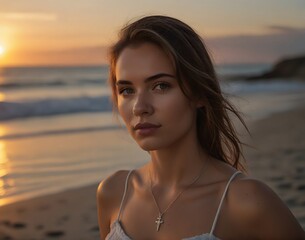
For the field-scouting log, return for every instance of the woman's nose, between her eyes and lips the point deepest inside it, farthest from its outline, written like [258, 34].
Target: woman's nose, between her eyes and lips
[142, 105]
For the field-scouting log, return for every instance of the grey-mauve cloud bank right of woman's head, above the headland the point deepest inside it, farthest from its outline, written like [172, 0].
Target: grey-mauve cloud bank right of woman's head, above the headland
[268, 48]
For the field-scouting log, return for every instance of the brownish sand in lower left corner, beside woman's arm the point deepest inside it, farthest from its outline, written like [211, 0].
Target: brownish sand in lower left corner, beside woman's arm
[67, 215]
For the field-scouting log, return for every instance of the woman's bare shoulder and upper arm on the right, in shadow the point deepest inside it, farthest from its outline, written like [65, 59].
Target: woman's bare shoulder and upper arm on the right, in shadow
[258, 210]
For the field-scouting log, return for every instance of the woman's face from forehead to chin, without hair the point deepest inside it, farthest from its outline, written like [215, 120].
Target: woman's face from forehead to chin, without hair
[156, 112]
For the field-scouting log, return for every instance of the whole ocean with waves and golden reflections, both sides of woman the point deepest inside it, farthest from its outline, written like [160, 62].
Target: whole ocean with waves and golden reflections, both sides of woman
[57, 130]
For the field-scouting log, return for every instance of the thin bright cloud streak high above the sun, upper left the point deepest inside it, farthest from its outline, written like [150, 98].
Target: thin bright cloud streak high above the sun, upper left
[29, 16]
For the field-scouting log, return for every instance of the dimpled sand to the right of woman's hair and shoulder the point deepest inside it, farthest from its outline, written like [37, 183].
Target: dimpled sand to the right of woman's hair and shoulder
[278, 157]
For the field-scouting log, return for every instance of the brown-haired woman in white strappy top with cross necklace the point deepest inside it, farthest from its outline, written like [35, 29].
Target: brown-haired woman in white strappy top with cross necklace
[165, 89]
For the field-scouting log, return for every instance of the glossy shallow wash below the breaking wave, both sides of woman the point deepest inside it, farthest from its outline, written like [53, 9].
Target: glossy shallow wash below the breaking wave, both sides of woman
[82, 157]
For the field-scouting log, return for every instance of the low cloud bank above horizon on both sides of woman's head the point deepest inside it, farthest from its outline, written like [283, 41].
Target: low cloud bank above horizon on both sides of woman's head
[267, 48]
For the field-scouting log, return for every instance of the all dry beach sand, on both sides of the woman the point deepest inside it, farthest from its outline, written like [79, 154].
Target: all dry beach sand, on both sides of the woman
[277, 158]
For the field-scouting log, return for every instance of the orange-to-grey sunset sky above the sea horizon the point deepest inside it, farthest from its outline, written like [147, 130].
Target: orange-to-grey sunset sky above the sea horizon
[79, 32]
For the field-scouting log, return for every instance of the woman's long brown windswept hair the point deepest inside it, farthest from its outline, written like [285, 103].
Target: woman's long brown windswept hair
[196, 76]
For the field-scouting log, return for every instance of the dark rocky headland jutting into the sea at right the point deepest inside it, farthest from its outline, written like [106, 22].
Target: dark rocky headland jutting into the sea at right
[293, 68]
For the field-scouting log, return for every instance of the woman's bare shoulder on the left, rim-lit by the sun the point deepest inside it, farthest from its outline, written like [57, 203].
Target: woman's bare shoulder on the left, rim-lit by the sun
[109, 195]
